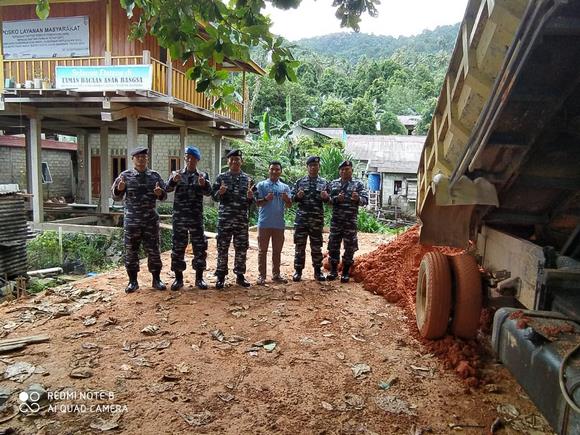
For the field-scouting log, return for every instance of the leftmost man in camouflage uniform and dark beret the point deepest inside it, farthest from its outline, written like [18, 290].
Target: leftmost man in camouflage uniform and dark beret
[141, 187]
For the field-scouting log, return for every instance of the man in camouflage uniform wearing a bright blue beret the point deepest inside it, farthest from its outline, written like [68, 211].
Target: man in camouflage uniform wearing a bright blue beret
[190, 186]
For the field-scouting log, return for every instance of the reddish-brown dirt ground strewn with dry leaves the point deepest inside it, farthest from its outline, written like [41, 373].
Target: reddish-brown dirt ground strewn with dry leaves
[290, 358]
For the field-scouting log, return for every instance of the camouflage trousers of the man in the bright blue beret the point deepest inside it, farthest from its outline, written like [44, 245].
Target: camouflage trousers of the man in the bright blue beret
[181, 235]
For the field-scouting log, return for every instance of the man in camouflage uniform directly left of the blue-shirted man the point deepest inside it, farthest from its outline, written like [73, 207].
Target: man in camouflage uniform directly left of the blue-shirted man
[233, 190]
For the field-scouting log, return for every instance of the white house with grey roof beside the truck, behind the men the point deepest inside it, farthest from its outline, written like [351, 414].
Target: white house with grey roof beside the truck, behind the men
[396, 159]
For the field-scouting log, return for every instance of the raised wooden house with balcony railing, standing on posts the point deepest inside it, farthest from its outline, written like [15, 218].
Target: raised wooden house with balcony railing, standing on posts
[78, 73]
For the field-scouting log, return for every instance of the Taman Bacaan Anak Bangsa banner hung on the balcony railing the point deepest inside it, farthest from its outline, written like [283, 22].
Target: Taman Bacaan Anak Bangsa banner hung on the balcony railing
[104, 78]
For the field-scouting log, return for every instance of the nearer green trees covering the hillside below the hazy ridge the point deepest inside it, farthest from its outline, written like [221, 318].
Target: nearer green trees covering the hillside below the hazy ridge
[335, 92]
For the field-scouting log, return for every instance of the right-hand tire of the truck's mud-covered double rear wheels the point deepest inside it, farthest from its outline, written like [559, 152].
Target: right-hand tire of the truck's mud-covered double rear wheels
[468, 296]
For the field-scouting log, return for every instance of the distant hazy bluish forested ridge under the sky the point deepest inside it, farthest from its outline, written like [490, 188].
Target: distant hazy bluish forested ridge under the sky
[353, 46]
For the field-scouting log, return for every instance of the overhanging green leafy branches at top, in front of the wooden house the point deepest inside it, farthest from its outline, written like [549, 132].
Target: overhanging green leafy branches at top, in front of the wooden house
[208, 32]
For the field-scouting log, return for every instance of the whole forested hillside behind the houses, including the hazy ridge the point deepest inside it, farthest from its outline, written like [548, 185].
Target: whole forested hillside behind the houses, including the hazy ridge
[357, 82]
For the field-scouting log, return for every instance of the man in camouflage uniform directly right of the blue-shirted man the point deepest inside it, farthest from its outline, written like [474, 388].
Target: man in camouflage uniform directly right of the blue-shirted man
[310, 194]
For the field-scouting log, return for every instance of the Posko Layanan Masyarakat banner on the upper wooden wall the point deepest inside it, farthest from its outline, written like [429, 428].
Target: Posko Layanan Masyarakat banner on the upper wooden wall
[54, 37]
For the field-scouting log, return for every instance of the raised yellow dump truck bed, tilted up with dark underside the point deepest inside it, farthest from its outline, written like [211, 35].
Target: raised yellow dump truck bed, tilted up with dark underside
[504, 145]
